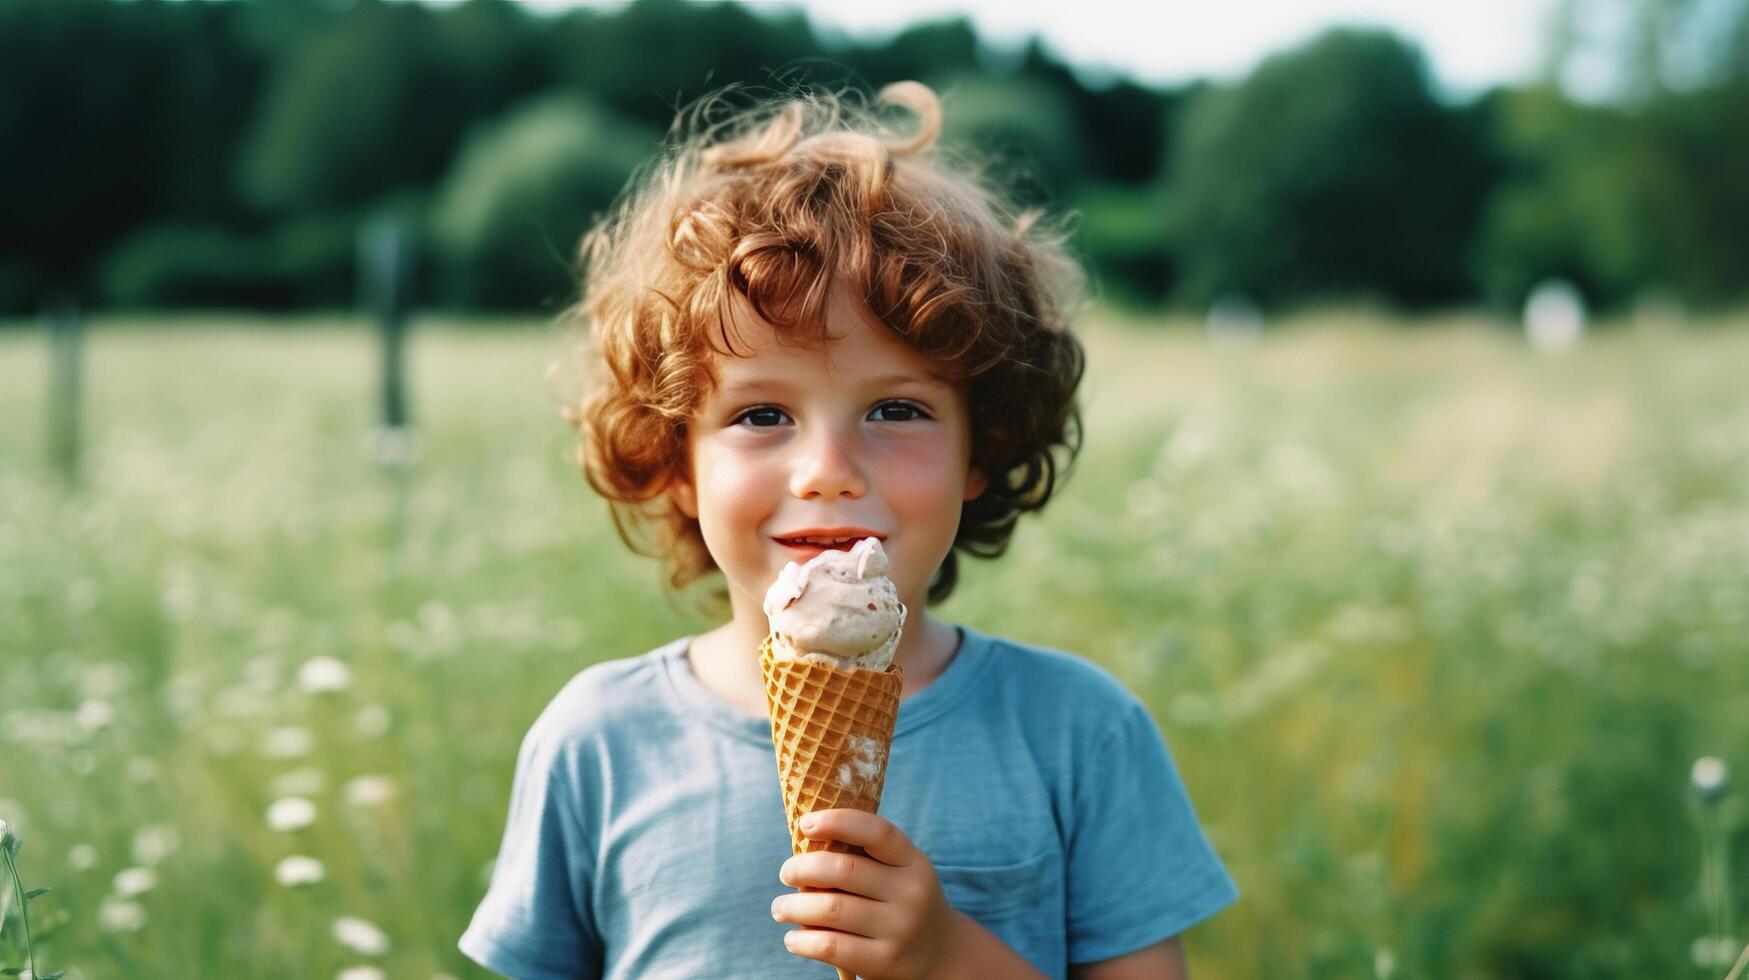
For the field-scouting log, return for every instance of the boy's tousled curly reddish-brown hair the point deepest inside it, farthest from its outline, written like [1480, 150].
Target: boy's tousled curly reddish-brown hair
[774, 204]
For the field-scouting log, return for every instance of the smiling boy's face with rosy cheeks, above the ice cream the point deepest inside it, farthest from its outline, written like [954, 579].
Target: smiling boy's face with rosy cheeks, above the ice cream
[861, 435]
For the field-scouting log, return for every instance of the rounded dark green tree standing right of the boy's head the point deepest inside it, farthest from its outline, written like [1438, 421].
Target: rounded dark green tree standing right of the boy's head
[1330, 171]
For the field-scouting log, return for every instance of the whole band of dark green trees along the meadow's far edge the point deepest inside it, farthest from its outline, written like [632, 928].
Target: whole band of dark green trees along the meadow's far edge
[174, 155]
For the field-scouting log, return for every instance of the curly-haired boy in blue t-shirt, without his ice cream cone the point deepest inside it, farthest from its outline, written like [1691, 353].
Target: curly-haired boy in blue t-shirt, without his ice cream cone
[809, 333]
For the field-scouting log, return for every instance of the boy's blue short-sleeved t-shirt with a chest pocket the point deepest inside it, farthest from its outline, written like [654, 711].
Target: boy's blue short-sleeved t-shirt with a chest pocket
[646, 827]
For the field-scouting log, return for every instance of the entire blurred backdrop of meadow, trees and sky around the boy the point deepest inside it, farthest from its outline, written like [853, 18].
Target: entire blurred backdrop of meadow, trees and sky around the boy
[1416, 500]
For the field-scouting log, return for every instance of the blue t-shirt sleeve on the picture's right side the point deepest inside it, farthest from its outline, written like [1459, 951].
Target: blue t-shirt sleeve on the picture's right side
[1139, 867]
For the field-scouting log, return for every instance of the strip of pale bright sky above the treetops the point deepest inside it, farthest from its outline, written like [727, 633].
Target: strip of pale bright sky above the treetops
[1470, 45]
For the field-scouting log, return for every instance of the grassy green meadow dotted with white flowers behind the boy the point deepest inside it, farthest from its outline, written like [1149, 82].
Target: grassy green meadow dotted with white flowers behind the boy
[1435, 626]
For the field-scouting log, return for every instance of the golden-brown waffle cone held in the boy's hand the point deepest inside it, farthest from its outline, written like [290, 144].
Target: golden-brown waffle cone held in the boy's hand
[832, 731]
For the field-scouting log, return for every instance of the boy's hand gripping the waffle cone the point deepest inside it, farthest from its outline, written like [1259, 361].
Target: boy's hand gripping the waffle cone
[888, 920]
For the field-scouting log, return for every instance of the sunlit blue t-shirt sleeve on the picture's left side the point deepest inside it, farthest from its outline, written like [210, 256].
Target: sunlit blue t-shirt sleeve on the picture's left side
[536, 920]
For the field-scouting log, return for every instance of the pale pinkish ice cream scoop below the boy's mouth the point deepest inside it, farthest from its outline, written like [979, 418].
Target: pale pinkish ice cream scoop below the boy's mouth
[839, 610]
